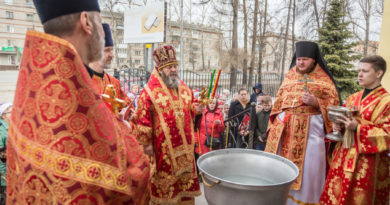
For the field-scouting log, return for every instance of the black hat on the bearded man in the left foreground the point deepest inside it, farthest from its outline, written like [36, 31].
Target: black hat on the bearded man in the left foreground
[49, 9]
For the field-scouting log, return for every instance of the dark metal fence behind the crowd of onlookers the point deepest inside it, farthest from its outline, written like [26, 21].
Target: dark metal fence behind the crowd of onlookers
[196, 80]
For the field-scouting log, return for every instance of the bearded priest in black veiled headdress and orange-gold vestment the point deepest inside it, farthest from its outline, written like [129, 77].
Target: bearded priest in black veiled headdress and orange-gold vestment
[298, 121]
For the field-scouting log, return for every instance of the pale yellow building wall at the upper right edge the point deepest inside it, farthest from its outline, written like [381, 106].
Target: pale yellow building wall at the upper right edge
[384, 44]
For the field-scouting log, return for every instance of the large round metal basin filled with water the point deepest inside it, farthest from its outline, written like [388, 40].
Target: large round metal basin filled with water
[244, 177]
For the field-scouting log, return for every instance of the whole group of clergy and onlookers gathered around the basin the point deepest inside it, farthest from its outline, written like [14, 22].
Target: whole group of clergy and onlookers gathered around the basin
[73, 136]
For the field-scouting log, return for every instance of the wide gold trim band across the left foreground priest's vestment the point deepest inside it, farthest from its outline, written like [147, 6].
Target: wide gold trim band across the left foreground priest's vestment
[69, 166]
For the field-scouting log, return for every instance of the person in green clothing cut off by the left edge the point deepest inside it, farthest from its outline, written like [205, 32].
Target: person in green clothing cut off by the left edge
[5, 117]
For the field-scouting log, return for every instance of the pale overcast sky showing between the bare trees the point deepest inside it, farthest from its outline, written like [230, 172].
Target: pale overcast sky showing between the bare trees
[275, 7]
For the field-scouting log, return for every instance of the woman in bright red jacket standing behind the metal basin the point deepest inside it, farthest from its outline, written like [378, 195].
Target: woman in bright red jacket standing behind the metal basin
[212, 125]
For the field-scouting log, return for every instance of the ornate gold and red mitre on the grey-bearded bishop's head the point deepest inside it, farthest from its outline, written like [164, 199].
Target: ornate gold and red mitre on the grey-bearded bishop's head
[164, 56]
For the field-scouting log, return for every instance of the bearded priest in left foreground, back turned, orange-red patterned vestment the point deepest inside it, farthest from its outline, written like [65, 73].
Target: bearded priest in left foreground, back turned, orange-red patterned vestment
[65, 146]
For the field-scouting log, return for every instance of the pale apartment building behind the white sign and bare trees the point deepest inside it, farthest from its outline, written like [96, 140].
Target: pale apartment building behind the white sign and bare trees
[202, 45]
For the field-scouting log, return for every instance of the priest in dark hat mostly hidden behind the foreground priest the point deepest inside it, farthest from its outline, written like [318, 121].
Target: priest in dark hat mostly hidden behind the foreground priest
[96, 69]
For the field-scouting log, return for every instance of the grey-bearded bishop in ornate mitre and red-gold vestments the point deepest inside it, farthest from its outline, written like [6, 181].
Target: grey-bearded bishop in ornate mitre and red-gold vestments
[164, 122]
